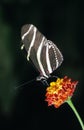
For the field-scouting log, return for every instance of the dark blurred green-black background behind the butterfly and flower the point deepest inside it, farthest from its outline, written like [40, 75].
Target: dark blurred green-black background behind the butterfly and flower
[24, 107]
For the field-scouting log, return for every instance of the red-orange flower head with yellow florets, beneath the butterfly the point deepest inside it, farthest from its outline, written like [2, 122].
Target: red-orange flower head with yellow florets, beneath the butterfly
[60, 91]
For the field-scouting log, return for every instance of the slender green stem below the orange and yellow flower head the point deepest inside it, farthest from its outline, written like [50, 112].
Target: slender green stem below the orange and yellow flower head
[76, 113]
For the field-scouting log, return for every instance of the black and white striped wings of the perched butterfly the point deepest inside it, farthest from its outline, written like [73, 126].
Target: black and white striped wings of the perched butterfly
[44, 54]
